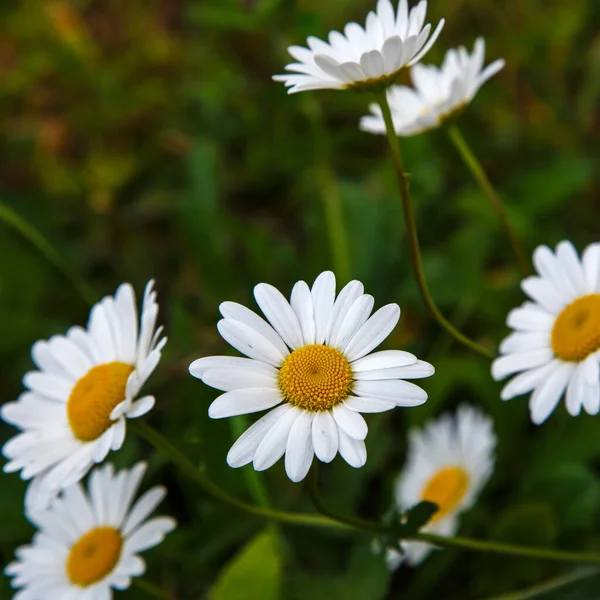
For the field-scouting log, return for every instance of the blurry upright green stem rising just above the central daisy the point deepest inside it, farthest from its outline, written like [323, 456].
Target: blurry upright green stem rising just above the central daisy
[330, 192]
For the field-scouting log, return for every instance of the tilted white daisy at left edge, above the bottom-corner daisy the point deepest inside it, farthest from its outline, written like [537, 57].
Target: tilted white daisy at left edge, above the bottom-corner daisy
[75, 408]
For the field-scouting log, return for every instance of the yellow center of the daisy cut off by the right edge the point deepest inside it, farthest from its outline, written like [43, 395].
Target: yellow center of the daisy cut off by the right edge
[576, 331]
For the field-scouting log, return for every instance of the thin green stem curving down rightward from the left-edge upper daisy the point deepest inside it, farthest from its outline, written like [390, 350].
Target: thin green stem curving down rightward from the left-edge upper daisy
[165, 447]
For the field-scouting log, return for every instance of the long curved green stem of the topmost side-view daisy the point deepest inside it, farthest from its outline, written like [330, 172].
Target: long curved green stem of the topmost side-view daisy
[413, 238]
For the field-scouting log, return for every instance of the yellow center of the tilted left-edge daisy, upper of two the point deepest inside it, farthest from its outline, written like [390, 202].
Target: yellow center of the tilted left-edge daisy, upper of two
[94, 397]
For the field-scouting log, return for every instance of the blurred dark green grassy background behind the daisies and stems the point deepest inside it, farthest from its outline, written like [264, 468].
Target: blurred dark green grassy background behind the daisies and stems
[146, 139]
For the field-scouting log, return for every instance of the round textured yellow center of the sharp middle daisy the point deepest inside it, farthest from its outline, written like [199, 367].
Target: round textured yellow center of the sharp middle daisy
[315, 377]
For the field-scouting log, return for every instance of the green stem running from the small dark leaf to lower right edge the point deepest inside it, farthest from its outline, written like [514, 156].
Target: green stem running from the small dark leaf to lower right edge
[508, 549]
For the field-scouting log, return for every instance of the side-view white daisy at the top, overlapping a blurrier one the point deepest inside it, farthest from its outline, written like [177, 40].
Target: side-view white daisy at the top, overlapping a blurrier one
[363, 59]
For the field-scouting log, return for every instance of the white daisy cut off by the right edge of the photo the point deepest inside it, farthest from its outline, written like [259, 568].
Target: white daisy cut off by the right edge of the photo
[555, 347]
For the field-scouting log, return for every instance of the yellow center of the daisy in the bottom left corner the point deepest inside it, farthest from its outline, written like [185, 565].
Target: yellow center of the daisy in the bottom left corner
[94, 555]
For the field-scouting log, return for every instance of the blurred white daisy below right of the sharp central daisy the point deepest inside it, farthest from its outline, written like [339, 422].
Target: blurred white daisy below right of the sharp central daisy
[449, 462]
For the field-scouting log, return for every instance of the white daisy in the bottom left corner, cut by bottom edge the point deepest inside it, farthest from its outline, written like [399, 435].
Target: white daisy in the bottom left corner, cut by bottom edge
[87, 544]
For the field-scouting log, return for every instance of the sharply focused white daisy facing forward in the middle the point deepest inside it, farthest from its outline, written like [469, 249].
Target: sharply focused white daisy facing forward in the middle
[313, 362]
